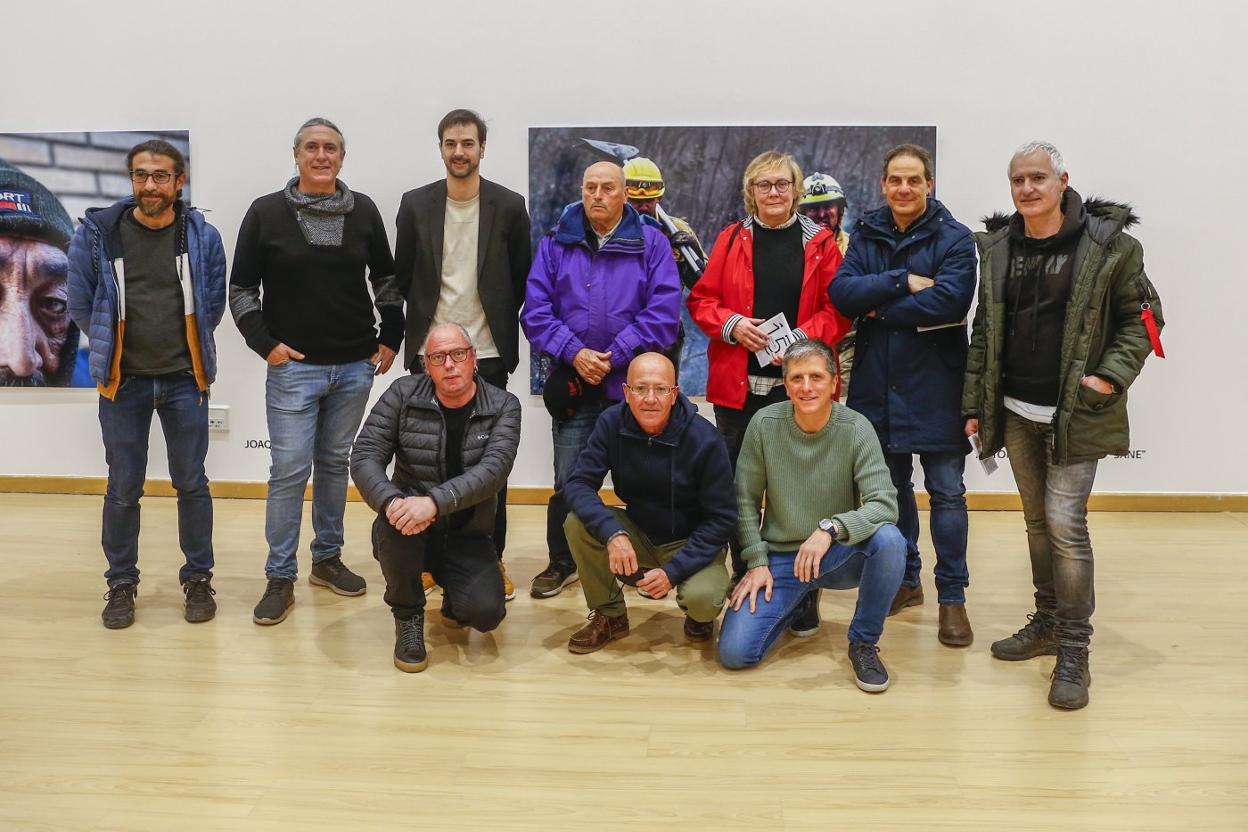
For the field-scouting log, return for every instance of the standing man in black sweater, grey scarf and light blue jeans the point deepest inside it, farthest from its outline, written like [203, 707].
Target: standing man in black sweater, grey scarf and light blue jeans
[308, 249]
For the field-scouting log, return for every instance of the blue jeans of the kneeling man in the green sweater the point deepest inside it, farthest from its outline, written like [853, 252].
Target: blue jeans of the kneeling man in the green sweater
[874, 566]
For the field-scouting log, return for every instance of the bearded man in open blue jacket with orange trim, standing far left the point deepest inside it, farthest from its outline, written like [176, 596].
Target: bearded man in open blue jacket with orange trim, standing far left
[148, 286]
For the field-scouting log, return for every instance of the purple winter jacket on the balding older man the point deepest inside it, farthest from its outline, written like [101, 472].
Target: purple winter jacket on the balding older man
[625, 299]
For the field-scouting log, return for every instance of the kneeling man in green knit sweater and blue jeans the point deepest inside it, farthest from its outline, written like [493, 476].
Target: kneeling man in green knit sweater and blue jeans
[811, 457]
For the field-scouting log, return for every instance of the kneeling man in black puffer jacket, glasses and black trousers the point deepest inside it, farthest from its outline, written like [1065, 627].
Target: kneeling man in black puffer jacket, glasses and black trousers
[454, 438]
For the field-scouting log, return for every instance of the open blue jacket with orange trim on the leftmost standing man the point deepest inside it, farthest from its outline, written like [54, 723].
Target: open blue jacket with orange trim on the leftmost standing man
[97, 293]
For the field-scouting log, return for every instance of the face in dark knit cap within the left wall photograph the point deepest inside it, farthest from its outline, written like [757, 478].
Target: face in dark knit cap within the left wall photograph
[38, 340]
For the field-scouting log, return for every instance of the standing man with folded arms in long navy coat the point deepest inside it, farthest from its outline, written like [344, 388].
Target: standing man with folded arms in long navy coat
[909, 279]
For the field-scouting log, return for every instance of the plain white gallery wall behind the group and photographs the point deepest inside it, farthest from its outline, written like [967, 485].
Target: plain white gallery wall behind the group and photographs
[1144, 100]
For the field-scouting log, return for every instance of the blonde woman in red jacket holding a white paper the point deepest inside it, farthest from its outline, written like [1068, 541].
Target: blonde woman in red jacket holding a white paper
[774, 261]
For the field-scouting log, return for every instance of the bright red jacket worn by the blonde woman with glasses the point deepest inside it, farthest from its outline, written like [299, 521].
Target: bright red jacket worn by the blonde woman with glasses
[727, 291]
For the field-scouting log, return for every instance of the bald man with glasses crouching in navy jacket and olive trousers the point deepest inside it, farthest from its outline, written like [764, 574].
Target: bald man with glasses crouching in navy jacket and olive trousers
[671, 468]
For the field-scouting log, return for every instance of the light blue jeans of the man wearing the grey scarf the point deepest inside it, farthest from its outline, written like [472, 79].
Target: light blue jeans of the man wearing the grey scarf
[314, 415]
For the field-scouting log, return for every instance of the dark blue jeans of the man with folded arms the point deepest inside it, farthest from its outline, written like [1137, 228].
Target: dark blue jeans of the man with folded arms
[943, 480]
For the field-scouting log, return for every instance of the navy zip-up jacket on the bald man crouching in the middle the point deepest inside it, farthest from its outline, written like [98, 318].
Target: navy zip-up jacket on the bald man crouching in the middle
[677, 486]
